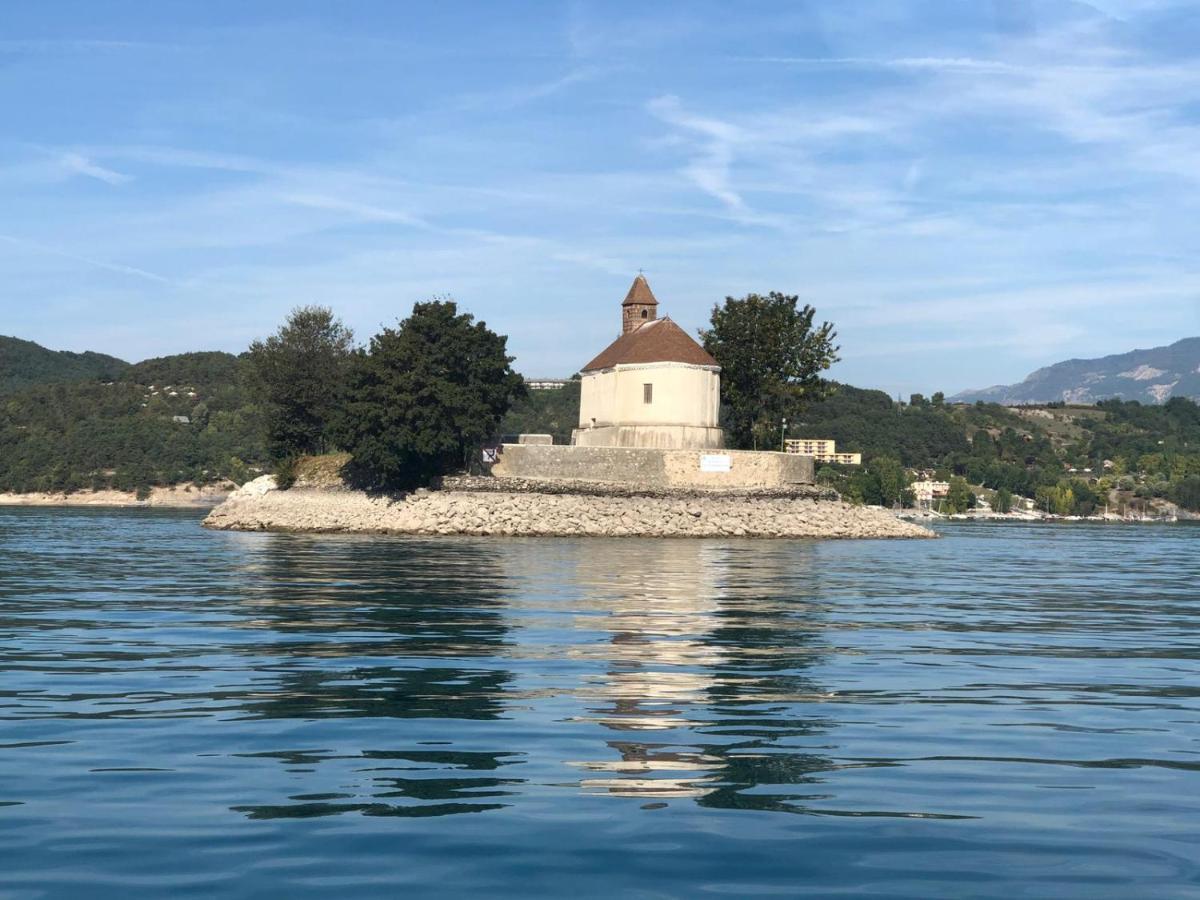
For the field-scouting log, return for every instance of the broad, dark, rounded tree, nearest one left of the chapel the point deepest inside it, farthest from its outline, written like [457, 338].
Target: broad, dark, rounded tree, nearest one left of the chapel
[427, 397]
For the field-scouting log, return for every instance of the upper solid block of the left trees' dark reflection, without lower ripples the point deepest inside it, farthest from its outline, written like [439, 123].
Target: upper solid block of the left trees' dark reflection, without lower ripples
[377, 629]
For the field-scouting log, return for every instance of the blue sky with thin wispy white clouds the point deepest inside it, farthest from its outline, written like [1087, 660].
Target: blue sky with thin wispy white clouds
[969, 190]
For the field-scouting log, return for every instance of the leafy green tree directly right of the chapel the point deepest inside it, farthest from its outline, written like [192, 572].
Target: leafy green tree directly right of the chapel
[772, 357]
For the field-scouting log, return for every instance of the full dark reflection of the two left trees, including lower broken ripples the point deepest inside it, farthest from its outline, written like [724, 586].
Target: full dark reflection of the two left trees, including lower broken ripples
[365, 629]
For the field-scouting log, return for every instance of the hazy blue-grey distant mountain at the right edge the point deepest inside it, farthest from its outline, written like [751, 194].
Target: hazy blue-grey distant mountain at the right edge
[1153, 376]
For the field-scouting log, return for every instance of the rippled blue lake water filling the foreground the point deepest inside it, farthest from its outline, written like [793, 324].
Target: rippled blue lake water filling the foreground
[1013, 711]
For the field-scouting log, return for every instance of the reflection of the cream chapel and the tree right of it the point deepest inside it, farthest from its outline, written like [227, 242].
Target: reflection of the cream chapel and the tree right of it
[707, 658]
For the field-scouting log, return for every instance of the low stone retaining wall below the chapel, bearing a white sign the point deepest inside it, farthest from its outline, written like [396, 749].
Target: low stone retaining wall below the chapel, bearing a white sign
[707, 470]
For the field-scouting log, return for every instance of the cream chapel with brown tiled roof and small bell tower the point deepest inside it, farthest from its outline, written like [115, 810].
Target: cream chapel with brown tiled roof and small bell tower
[652, 387]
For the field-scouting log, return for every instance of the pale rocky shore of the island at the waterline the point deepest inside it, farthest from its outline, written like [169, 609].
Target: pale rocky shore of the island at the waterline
[261, 507]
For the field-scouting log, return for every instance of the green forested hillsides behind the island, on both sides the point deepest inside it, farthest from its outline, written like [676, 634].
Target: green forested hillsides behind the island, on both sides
[195, 418]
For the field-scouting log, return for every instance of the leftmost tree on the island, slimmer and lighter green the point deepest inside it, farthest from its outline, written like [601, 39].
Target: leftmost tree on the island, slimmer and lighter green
[302, 373]
